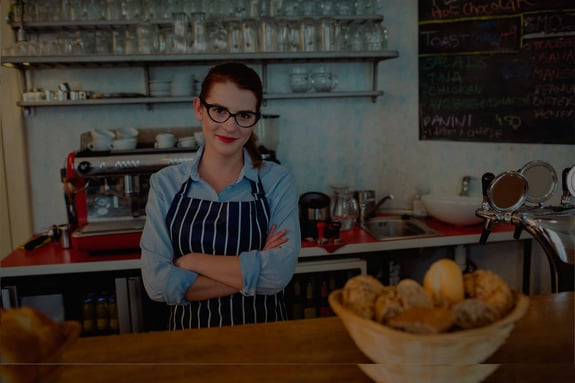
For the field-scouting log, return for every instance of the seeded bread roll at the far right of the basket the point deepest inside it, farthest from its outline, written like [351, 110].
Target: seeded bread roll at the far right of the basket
[490, 288]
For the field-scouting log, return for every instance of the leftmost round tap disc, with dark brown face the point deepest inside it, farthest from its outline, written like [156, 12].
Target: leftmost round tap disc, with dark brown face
[507, 191]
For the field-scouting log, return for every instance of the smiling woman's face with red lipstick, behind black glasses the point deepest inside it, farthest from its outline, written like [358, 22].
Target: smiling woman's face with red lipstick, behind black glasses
[226, 138]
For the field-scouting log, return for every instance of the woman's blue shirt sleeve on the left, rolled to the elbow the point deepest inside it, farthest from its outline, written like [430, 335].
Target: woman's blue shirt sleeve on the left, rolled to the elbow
[163, 281]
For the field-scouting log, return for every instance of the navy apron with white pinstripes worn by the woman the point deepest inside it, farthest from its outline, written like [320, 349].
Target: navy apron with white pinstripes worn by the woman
[225, 228]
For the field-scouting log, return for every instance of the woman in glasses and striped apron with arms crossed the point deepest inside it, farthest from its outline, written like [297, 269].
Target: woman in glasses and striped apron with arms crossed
[222, 232]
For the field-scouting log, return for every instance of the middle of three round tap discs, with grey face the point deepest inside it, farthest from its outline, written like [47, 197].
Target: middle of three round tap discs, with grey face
[542, 180]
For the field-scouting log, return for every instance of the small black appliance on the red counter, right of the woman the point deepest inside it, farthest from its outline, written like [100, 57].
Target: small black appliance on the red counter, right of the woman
[313, 208]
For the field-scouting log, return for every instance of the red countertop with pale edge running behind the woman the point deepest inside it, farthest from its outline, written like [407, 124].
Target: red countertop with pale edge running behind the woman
[52, 259]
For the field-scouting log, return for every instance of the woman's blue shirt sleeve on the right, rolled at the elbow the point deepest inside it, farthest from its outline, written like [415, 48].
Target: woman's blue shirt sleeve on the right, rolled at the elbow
[269, 271]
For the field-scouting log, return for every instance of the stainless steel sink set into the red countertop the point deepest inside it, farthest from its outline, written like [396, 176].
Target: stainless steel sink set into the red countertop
[387, 228]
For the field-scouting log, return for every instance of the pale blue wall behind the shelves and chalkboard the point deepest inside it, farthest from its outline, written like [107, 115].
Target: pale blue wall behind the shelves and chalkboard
[323, 141]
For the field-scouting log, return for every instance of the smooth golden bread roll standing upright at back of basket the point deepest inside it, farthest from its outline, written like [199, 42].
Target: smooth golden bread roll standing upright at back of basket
[444, 283]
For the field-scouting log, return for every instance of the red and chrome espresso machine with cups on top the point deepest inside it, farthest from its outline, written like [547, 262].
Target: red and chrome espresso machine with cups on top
[106, 194]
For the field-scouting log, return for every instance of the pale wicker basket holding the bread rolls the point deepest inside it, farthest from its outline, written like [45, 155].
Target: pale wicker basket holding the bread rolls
[405, 357]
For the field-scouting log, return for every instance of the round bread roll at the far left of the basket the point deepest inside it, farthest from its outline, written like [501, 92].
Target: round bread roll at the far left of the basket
[359, 295]
